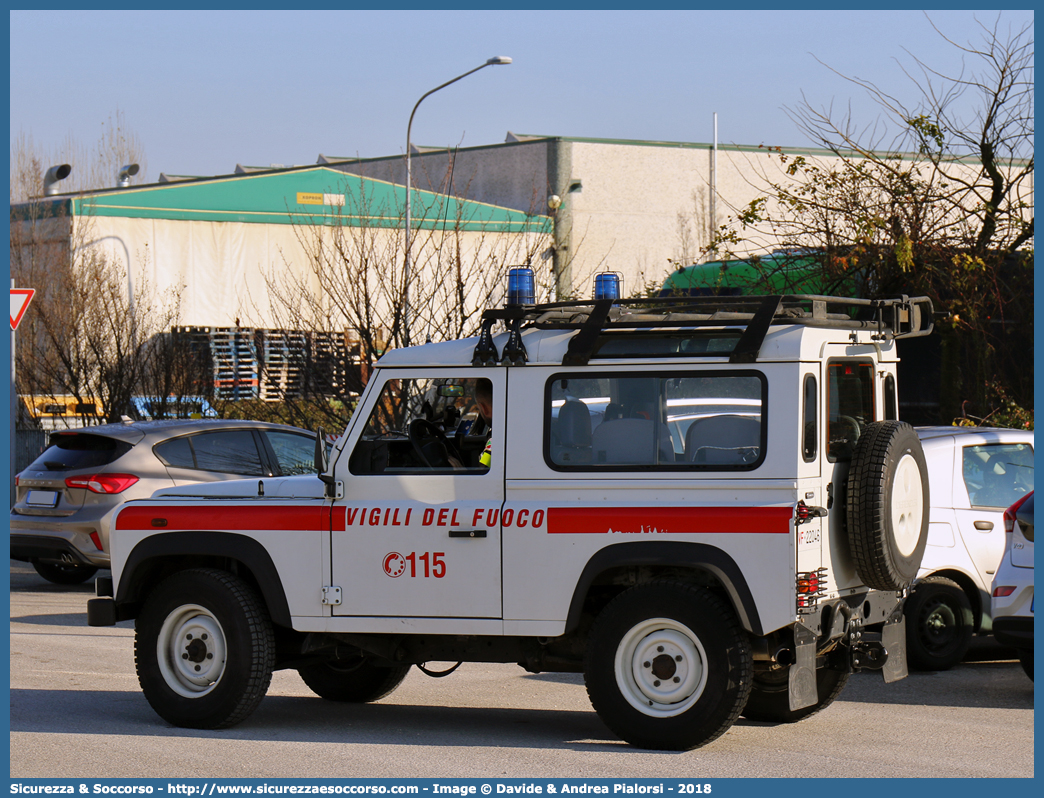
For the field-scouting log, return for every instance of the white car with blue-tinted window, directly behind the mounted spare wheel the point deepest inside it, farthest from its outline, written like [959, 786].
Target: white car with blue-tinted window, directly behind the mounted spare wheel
[975, 474]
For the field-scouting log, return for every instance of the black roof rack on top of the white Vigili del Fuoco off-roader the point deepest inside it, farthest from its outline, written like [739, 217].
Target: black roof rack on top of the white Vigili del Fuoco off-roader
[892, 318]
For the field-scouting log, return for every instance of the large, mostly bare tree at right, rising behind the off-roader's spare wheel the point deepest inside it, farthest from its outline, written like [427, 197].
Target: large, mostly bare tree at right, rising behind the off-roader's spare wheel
[932, 199]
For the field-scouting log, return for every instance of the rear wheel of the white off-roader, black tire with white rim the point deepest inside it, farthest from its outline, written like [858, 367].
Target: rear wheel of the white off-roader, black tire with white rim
[669, 667]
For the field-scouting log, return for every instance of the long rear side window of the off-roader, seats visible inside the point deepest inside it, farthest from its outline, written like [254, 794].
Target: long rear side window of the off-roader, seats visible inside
[707, 421]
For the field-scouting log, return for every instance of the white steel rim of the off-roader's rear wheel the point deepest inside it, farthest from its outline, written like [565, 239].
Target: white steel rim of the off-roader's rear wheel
[661, 668]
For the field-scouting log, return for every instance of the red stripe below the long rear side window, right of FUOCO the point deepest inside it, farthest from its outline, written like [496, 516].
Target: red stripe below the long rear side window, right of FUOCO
[671, 521]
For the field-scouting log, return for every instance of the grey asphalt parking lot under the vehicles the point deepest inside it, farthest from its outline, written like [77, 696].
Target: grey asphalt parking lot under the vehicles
[77, 712]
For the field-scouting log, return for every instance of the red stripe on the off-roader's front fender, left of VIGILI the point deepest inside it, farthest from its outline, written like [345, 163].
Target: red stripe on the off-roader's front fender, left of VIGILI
[236, 518]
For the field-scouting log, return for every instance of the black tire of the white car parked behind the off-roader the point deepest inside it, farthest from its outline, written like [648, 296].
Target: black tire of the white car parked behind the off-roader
[940, 625]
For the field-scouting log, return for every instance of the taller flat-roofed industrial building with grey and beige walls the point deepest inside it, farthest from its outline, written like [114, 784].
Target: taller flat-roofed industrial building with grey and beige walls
[640, 208]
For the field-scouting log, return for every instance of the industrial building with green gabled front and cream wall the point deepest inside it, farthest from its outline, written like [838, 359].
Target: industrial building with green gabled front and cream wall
[228, 256]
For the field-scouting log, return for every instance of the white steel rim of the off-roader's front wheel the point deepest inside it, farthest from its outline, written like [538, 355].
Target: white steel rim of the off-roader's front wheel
[192, 651]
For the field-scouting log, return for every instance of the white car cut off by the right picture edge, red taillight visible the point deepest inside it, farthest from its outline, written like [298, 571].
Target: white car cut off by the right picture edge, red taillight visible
[1013, 588]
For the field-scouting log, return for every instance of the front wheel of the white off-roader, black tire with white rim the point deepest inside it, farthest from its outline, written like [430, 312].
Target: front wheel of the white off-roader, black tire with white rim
[204, 650]
